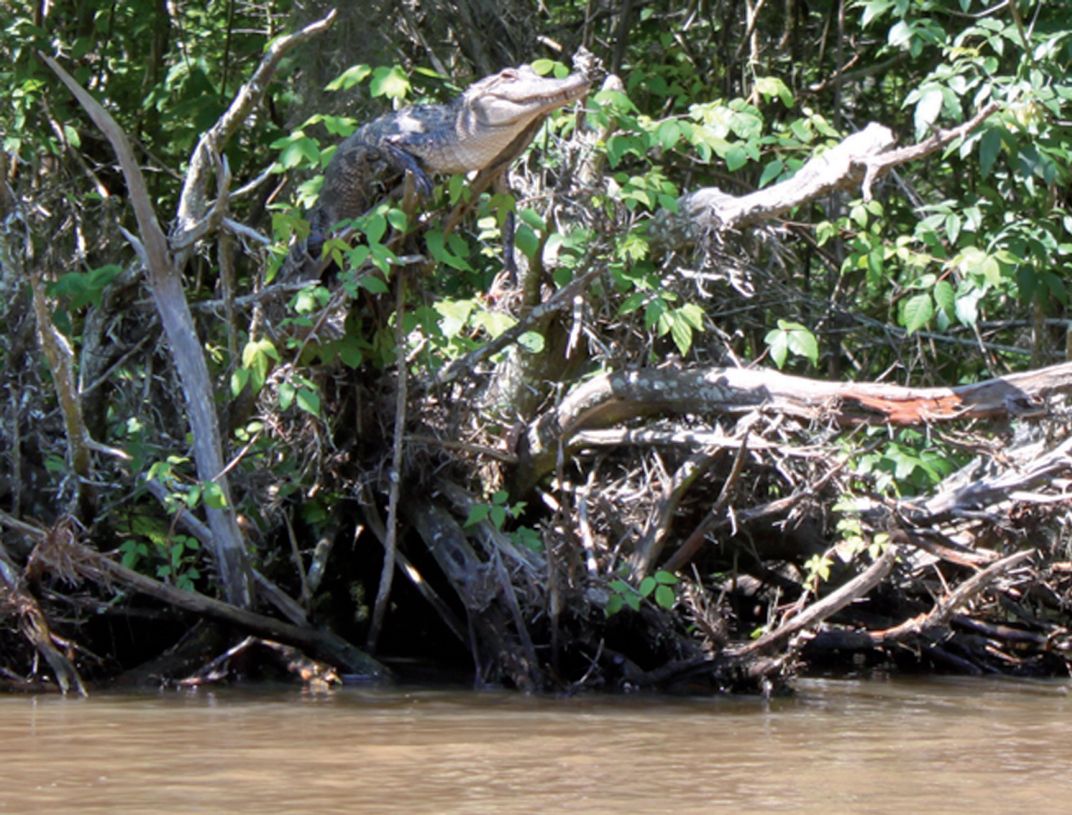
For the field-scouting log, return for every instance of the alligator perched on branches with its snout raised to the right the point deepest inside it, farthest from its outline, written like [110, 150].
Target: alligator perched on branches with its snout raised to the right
[484, 129]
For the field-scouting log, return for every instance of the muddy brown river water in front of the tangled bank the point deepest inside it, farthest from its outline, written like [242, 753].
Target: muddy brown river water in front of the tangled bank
[838, 747]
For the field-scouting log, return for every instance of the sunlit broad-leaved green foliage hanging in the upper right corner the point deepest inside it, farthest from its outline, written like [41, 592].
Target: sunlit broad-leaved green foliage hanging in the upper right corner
[979, 251]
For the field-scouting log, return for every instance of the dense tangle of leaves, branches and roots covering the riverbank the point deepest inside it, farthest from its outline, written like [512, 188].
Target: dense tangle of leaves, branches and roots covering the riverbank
[597, 475]
